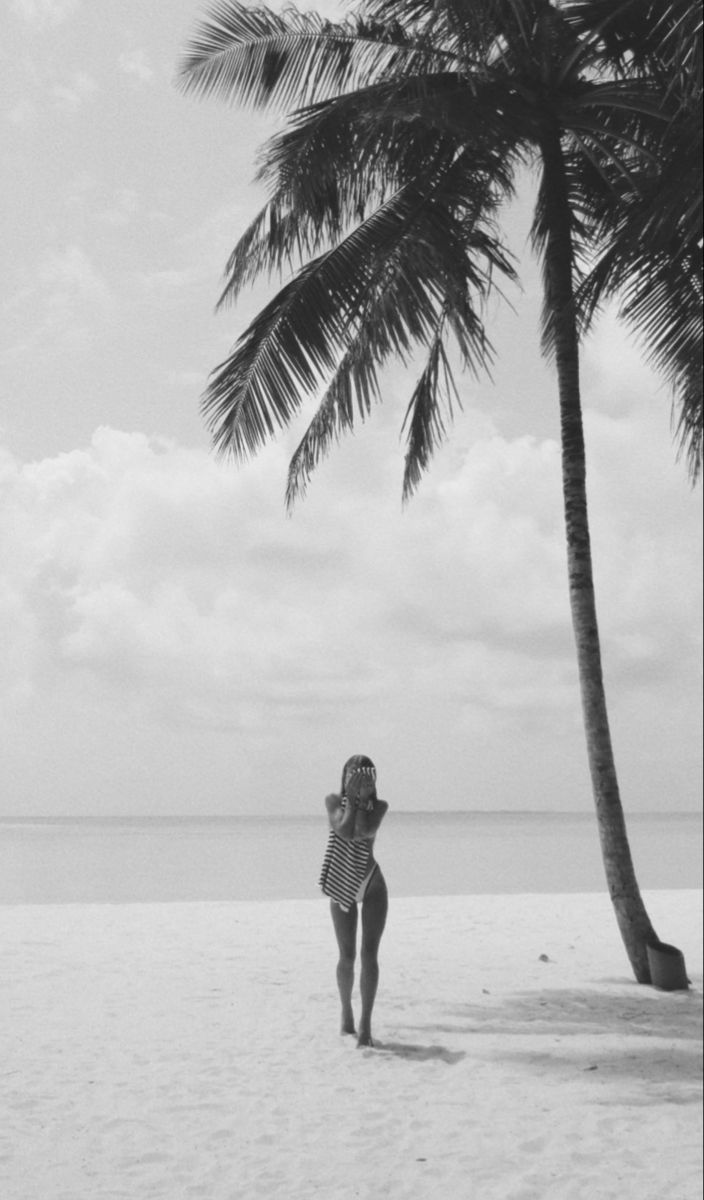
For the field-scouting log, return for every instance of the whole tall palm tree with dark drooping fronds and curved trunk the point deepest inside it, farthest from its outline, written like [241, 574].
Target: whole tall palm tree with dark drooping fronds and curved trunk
[410, 124]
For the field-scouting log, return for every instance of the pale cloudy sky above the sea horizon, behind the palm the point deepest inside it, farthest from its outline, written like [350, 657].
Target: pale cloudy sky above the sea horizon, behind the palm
[171, 640]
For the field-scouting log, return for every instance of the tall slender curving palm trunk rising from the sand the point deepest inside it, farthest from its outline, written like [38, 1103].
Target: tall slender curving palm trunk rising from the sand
[631, 916]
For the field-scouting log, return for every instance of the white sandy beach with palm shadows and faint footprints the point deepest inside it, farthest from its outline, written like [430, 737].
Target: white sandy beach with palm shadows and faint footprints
[192, 1051]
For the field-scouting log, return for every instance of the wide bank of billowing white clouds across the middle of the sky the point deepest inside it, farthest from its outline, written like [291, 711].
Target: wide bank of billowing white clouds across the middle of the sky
[167, 575]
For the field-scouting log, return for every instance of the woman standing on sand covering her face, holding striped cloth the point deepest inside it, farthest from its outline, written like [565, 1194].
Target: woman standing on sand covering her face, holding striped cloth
[351, 877]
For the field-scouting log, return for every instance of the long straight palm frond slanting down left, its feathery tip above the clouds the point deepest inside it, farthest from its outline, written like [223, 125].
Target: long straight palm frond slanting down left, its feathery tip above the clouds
[299, 338]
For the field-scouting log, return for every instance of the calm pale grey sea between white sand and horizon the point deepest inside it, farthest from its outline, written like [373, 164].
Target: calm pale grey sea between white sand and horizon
[124, 860]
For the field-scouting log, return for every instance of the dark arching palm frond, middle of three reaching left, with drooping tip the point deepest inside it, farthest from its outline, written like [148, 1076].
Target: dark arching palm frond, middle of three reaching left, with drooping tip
[341, 158]
